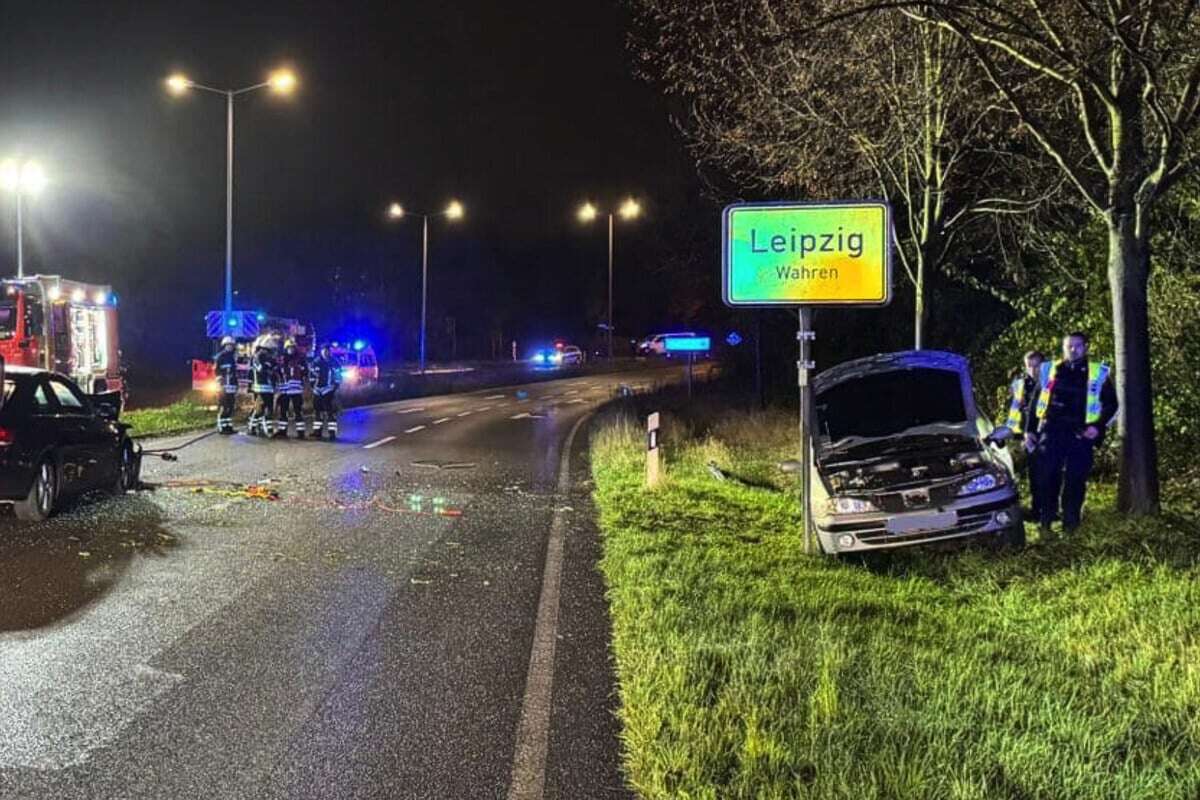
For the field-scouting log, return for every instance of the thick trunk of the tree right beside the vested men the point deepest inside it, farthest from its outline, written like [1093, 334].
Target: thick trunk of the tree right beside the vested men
[1129, 279]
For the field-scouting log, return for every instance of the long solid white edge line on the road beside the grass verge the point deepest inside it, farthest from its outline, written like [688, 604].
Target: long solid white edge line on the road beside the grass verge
[533, 729]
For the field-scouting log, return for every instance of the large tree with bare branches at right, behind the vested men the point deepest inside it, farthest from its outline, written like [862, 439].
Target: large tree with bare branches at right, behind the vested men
[1111, 92]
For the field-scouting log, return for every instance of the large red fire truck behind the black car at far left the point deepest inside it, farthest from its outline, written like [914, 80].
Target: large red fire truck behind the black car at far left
[64, 326]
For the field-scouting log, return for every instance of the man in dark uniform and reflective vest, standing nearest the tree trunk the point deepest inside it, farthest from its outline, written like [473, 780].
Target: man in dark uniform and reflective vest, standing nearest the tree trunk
[1076, 404]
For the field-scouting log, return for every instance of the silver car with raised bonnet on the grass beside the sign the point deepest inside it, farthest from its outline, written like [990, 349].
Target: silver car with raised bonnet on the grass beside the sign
[902, 456]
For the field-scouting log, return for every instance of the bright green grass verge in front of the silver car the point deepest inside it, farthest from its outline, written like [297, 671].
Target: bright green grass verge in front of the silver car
[748, 670]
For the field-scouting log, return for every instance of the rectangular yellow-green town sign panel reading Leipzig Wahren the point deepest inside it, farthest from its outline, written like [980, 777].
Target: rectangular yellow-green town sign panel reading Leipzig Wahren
[797, 255]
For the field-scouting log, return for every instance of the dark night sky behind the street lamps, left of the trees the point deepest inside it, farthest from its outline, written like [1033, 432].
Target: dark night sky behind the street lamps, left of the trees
[520, 111]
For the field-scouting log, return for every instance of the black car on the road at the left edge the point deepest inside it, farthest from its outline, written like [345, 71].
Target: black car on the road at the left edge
[57, 442]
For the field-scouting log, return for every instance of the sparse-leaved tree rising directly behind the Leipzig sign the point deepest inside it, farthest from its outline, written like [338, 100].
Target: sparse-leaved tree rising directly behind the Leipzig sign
[891, 109]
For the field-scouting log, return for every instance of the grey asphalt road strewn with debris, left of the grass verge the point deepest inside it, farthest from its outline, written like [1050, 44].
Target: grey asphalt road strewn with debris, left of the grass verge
[392, 627]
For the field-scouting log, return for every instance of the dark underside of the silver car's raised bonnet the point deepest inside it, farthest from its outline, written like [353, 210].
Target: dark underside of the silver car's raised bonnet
[887, 404]
